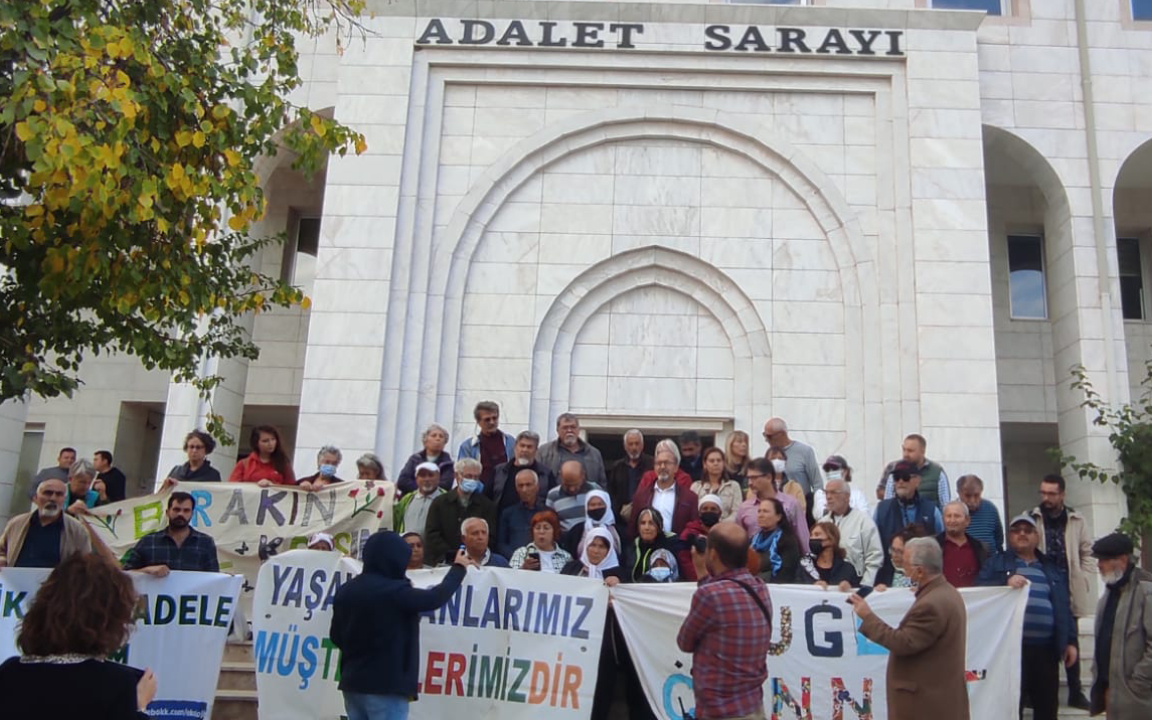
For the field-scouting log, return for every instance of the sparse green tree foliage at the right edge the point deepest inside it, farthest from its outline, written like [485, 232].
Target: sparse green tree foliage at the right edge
[1131, 434]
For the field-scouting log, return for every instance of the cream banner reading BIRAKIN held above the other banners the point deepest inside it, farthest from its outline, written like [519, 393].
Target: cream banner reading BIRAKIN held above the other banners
[252, 524]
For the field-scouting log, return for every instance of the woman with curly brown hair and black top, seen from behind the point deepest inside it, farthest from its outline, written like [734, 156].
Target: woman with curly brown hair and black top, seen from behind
[82, 613]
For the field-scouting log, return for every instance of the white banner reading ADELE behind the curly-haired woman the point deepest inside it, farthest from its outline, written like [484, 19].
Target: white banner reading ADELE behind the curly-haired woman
[180, 618]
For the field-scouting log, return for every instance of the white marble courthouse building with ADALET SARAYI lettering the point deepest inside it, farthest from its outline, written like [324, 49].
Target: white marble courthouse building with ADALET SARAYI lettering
[868, 217]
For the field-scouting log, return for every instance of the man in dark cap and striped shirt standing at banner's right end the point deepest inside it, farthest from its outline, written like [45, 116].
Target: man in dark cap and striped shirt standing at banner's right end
[1049, 627]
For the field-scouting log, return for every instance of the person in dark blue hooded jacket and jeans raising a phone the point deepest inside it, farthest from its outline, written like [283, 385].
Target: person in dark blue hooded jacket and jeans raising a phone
[376, 624]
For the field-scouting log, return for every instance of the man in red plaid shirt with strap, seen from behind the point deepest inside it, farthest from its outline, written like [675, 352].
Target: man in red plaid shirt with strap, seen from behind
[727, 631]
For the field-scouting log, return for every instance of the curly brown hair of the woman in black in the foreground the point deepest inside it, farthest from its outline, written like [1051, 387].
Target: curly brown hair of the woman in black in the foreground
[85, 608]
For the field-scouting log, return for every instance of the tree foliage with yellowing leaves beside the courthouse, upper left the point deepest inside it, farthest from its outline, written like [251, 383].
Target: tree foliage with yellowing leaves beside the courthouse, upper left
[130, 135]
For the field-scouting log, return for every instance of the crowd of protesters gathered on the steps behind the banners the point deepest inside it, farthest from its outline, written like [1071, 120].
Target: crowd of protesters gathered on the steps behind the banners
[512, 502]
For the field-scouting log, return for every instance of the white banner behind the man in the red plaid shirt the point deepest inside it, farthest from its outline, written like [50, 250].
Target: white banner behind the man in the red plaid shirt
[821, 666]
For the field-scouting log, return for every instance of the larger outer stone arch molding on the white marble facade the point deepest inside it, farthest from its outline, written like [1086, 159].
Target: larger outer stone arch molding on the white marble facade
[586, 131]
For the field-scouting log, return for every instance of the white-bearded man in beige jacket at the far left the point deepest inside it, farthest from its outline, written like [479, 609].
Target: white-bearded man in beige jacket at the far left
[46, 536]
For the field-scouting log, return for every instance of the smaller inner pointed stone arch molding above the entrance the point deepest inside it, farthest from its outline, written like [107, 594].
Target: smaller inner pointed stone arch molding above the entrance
[648, 267]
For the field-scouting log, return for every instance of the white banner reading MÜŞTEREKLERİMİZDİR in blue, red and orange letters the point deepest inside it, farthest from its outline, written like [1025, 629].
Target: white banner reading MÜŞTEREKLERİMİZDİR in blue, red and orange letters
[510, 645]
